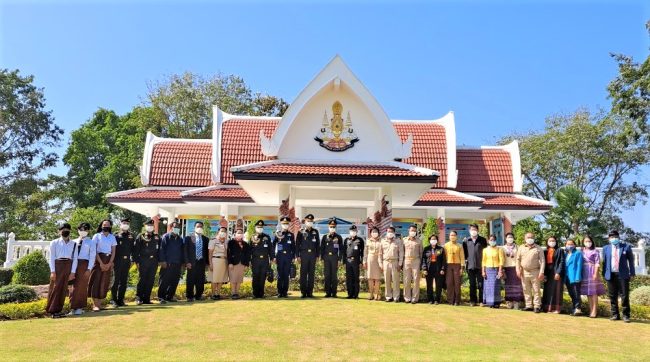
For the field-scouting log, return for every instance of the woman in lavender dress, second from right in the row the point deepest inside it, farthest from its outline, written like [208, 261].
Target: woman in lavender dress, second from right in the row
[592, 286]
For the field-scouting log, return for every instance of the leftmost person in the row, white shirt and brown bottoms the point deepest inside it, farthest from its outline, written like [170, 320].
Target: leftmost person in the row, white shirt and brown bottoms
[63, 264]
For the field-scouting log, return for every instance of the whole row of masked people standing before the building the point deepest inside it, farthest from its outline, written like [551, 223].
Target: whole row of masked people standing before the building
[87, 264]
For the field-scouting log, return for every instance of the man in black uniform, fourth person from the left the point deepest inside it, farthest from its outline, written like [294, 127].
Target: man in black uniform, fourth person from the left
[123, 251]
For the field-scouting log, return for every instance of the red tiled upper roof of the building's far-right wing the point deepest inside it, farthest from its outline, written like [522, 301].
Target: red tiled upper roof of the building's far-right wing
[484, 170]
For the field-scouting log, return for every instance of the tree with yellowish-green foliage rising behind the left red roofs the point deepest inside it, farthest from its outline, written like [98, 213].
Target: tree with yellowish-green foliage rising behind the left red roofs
[184, 102]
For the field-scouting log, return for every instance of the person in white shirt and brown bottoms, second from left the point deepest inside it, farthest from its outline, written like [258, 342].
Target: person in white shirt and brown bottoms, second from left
[86, 251]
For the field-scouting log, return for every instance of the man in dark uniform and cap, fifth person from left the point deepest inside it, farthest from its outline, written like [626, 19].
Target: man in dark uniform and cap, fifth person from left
[145, 256]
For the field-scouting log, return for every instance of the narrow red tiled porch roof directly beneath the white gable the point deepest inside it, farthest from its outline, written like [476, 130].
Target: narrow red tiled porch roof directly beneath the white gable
[352, 171]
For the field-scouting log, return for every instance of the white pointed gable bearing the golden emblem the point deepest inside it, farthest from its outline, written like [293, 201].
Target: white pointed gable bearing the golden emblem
[335, 98]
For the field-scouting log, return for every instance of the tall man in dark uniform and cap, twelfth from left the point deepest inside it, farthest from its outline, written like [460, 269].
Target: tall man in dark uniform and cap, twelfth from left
[308, 251]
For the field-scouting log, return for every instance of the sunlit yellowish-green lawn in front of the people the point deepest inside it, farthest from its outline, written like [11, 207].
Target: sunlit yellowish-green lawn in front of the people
[320, 329]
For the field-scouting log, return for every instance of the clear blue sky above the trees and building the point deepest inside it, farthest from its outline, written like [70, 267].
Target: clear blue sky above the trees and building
[500, 66]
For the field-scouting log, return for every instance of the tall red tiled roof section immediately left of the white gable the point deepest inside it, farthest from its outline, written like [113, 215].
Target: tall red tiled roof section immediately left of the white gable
[240, 143]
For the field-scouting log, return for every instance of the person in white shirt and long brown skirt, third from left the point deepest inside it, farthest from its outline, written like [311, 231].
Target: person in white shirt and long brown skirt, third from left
[100, 276]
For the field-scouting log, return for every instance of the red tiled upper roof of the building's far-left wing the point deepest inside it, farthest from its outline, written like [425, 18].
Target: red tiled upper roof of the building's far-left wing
[181, 163]
